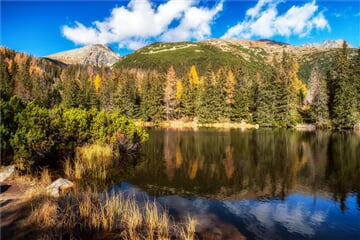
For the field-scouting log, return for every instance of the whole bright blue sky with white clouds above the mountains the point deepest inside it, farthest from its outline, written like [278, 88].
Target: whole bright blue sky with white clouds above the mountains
[44, 27]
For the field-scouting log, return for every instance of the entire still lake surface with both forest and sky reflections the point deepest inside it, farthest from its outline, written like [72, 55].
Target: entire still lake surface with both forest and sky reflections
[254, 184]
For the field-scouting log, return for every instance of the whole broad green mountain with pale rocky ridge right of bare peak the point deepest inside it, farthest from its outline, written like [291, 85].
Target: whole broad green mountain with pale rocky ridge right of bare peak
[250, 56]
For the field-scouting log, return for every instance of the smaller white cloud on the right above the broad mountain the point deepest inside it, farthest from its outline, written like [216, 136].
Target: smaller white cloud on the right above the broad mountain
[263, 20]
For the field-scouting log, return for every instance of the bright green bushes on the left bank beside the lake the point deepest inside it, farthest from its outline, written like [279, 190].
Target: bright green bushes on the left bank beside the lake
[31, 133]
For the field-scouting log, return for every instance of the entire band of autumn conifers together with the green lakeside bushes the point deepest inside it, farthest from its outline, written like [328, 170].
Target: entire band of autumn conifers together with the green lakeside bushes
[48, 106]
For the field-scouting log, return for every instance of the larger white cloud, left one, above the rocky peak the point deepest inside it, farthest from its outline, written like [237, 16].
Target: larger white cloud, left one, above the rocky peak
[132, 26]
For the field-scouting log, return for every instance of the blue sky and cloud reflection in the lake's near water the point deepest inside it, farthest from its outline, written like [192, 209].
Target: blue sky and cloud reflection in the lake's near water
[296, 217]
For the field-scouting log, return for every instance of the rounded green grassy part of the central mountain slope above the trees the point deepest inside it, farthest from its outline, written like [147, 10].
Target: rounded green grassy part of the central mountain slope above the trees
[160, 56]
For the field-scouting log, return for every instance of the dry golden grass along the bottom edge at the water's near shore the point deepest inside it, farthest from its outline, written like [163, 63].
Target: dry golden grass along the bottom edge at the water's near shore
[101, 212]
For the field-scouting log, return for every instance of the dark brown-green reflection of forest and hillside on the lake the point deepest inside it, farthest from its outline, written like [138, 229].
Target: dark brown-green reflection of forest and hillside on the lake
[253, 164]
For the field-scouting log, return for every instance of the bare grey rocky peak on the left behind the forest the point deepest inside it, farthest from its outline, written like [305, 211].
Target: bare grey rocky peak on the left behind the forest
[92, 54]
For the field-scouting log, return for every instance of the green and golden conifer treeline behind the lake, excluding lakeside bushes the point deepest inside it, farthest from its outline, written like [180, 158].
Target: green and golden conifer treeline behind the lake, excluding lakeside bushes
[269, 95]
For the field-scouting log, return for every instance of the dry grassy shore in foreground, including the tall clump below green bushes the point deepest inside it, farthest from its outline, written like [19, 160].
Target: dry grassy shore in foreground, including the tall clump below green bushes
[87, 212]
